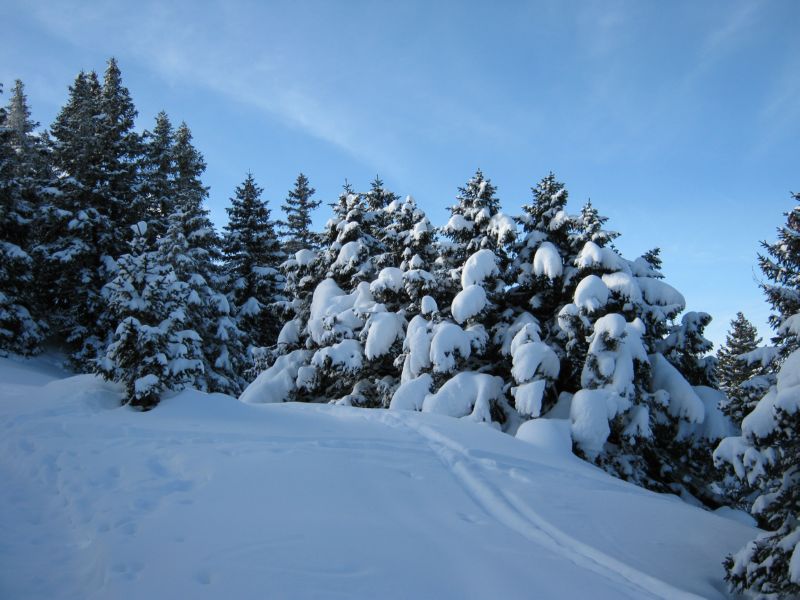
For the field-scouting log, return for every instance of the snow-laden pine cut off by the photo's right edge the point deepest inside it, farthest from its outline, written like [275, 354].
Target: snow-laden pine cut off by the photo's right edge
[767, 454]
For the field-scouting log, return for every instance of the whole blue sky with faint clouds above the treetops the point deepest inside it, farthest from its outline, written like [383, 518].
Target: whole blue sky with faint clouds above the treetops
[680, 120]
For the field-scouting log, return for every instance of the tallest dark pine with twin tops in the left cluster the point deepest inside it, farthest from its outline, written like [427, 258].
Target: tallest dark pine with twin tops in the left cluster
[95, 191]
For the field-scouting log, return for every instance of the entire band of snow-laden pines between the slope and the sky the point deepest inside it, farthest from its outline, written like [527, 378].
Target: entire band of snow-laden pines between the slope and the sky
[107, 251]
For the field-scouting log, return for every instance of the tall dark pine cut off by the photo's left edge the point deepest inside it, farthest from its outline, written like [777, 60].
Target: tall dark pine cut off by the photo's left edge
[20, 332]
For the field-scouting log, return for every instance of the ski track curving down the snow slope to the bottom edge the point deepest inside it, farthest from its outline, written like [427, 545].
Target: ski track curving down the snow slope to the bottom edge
[510, 510]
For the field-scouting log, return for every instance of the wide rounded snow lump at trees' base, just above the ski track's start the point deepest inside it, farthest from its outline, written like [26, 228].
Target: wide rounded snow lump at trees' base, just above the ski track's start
[465, 394]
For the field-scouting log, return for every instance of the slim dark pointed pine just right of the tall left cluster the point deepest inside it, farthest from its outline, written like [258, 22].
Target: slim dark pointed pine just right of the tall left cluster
[252, 257]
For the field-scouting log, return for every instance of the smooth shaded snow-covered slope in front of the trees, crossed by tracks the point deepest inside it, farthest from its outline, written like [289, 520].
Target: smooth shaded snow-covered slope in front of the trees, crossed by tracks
[207, 497]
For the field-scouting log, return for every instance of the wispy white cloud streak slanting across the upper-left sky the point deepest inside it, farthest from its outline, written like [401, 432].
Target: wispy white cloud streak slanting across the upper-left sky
[160, 39]
